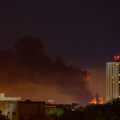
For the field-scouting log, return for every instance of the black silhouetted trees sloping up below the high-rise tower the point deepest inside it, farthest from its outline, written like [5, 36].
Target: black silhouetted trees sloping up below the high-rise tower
[108, 111]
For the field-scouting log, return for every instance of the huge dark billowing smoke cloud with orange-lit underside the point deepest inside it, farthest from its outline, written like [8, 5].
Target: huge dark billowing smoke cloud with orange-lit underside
[28, 71]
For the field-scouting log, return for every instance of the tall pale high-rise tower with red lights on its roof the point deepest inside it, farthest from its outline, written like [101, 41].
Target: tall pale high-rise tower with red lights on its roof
[113, 79]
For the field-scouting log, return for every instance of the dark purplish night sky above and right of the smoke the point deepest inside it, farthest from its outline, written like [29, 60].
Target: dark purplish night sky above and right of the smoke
[85, 33]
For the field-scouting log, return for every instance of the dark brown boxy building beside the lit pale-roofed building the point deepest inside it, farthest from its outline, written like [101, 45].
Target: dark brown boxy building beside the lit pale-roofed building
[28, 110]
